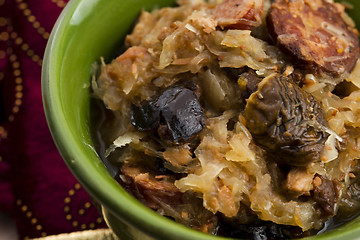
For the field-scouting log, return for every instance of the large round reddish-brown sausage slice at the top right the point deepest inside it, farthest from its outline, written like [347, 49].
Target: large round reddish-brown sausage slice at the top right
[314, 32]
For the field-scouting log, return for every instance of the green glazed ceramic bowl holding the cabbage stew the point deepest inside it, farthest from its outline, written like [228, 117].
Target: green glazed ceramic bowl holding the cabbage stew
[86, 30]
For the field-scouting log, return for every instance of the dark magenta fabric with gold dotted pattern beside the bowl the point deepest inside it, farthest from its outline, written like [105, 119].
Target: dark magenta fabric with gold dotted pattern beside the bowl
[36, 187]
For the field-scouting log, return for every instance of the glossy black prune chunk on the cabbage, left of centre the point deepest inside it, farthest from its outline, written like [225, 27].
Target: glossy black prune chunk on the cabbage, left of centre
[176, 115]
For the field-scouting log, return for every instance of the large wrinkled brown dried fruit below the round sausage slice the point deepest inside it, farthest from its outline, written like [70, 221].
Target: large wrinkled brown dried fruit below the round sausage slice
[287, 121]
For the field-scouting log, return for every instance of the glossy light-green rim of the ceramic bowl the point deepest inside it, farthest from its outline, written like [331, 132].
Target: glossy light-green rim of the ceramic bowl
[150, 222]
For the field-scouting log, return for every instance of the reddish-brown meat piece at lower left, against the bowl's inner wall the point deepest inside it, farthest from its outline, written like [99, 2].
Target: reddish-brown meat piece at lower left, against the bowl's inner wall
[151, 190]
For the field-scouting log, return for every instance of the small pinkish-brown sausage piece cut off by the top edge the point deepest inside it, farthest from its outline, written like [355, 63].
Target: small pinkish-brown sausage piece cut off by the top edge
[239, 14]
